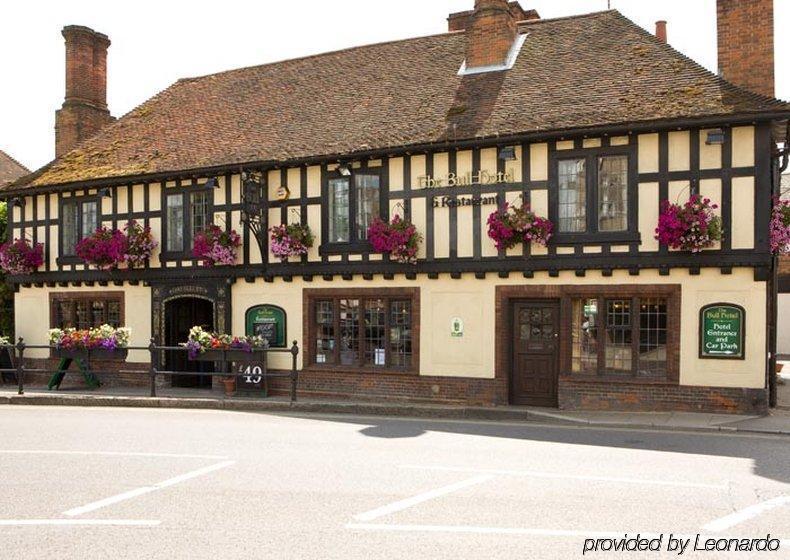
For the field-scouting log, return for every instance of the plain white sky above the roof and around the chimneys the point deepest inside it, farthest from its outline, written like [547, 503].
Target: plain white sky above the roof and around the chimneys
[154, 43]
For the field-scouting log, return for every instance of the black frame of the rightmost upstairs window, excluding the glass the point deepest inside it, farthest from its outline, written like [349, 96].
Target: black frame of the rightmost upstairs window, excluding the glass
[591, 157]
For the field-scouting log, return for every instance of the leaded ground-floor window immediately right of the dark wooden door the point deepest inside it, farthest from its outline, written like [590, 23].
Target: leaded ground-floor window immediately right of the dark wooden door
[620, 336]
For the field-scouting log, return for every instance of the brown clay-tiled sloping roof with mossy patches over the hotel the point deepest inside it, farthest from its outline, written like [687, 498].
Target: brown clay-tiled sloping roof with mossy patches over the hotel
[574, 72]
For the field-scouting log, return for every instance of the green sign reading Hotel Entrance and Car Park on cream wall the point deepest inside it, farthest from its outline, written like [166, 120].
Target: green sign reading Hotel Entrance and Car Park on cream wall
[722, 331]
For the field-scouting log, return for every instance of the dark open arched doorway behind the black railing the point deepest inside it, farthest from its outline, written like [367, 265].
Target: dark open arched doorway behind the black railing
[181, 314]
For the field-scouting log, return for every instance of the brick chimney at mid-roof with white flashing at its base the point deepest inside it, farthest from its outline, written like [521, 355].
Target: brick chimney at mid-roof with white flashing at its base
[490, 32]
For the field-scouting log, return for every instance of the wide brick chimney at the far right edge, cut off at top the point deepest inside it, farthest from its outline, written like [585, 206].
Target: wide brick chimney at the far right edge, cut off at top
[746, 43]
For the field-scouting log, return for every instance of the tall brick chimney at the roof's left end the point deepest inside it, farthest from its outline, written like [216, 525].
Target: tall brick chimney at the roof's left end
[84, 110]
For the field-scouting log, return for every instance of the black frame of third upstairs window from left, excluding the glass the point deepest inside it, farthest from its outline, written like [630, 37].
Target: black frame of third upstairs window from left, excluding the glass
[354, 244]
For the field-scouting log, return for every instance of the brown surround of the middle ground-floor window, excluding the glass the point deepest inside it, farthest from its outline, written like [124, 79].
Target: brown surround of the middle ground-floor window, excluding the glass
[312, 296]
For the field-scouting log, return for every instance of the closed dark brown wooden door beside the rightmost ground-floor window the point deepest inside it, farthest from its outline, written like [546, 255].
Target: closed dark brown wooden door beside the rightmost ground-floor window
[536, 343]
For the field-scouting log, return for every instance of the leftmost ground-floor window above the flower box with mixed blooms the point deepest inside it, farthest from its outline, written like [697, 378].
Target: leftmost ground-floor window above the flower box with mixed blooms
[86, 310]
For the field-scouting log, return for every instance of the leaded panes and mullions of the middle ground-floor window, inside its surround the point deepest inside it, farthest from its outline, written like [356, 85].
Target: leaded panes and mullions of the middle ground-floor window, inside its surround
[364, 331]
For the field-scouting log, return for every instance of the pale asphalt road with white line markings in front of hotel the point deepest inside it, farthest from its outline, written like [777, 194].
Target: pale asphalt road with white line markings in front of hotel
[144, 483]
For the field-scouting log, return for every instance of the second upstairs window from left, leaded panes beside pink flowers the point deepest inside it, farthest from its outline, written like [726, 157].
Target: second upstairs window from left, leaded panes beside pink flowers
[186, 214]
